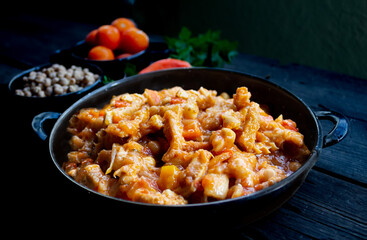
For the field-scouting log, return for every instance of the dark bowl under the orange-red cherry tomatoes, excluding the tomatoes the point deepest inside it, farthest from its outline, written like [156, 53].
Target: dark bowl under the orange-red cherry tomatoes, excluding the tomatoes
[114, 69]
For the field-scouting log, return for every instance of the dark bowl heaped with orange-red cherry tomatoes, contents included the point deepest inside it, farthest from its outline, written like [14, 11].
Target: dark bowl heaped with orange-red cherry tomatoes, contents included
[115, 47]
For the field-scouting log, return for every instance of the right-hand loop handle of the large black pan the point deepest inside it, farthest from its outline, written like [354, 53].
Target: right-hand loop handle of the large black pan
[340, 129]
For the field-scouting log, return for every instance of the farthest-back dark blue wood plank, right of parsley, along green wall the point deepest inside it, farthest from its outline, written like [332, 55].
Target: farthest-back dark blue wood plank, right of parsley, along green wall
[336, 91]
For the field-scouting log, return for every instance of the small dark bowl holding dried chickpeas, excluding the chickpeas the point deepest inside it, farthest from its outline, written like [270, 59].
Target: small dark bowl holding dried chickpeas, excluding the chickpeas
[32, 105]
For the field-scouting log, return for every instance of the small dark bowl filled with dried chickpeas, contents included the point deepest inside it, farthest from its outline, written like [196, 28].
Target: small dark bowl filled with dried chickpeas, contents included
[54, 86]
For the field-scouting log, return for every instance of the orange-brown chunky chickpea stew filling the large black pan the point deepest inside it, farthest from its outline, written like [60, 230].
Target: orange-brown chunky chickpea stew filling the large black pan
[178, 147]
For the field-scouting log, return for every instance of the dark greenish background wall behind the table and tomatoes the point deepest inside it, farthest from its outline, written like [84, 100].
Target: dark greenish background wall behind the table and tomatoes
[326, 34]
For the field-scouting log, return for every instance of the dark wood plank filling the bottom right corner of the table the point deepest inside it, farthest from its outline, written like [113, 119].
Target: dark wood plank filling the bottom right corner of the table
[324, 207]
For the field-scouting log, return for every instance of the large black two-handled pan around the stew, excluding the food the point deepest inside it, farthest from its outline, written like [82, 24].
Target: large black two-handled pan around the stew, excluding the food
[244, 209]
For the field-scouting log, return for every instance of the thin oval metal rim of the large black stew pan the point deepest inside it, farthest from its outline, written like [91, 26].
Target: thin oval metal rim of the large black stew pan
[305, 167]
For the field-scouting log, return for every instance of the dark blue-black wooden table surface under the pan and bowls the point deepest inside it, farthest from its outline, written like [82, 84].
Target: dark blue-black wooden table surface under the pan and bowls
[331, 204]
